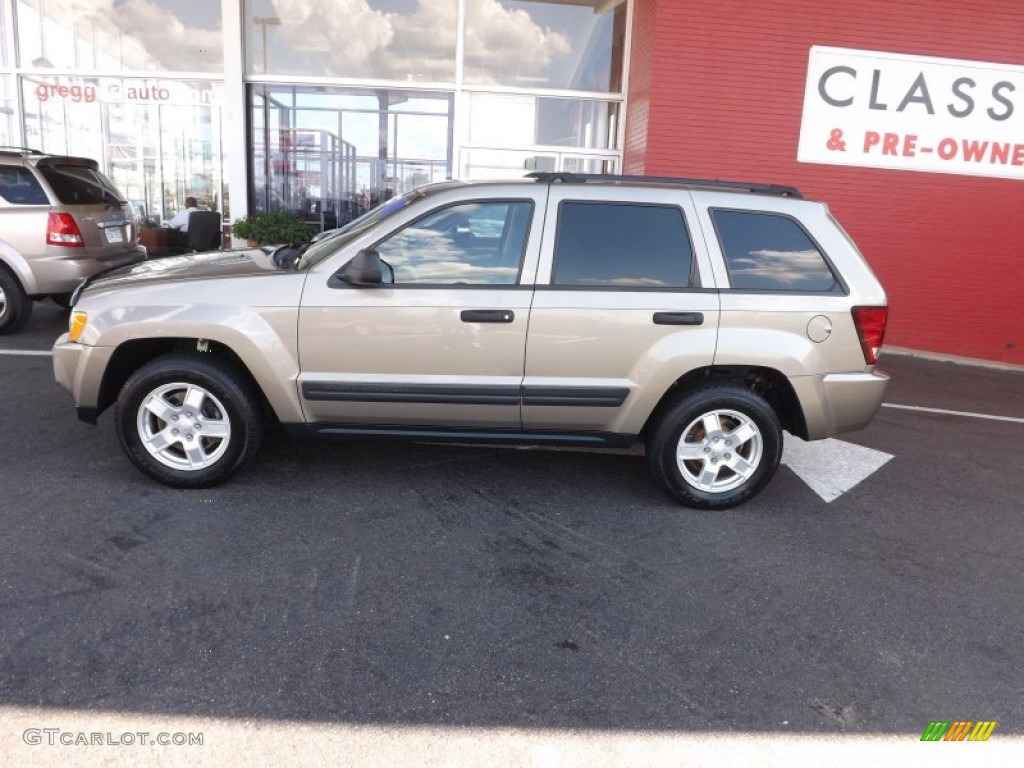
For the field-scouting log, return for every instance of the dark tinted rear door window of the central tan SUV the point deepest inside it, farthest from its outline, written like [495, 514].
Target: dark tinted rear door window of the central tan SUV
[606, 245]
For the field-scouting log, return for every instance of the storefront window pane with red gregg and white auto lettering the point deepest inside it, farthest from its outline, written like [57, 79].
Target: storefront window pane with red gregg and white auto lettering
[159, 142]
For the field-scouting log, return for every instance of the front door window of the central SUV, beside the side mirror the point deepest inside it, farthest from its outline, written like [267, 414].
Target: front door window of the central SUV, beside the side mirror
[472, 244]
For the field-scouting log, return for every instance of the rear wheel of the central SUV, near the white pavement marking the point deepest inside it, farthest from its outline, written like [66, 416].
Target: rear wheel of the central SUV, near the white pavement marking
[727, 466]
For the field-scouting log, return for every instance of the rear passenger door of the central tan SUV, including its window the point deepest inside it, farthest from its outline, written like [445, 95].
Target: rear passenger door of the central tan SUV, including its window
[625, 306]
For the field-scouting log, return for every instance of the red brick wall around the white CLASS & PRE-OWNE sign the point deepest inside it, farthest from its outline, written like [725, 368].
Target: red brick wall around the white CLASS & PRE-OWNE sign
[717, 89]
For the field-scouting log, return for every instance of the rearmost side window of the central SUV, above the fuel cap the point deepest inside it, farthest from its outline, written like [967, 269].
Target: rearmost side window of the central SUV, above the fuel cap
[767, 252]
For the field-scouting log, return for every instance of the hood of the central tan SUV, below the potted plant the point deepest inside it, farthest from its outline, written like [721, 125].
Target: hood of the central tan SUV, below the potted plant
[249, 262]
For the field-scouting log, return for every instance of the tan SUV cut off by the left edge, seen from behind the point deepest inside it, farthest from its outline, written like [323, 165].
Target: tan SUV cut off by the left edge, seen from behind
[61, 222]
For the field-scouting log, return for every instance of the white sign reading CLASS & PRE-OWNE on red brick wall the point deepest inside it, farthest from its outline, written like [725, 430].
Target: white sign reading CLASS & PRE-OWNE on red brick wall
[913, 113]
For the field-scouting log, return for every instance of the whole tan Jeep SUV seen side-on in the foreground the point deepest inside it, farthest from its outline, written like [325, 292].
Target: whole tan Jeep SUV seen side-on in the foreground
[700, 318]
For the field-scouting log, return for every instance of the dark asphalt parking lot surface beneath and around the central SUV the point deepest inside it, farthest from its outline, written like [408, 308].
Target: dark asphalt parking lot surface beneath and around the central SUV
[399, 585]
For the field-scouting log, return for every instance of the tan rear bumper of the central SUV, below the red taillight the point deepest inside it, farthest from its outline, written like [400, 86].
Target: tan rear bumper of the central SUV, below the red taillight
[834, 404]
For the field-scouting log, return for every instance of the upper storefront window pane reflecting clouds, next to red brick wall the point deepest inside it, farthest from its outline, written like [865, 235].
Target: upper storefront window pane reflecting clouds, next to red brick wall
[539, 45]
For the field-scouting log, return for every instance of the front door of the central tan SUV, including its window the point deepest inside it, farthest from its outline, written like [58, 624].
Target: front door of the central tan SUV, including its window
[440, 345]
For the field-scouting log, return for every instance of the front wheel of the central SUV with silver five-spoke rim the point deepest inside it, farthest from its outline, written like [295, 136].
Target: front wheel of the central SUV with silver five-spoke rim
[223, 403]
